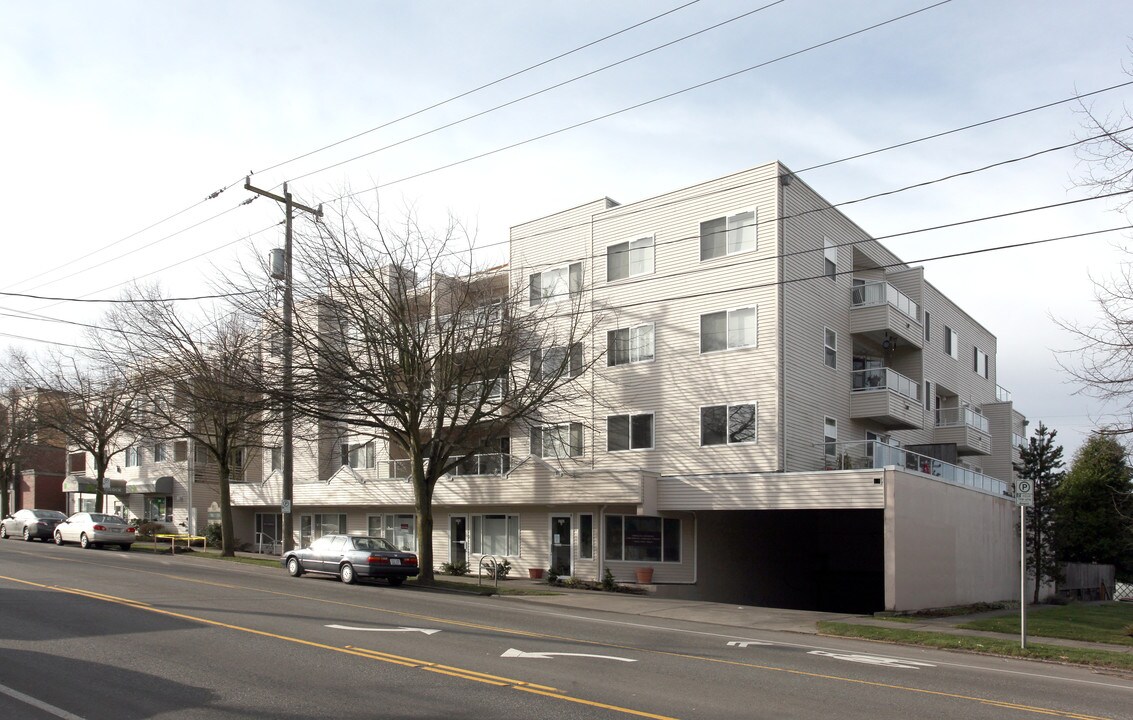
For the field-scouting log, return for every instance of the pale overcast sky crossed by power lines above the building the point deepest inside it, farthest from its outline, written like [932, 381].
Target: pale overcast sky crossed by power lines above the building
[120, 115]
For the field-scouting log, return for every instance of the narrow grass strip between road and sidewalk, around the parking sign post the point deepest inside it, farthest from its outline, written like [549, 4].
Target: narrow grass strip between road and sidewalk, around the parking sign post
[985, 646]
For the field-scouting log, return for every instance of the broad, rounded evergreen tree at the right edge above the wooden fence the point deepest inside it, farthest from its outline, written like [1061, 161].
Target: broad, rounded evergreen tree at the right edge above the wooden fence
[1093, 504]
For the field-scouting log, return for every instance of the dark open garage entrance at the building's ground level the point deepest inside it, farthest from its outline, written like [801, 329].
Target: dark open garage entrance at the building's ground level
[828, 561]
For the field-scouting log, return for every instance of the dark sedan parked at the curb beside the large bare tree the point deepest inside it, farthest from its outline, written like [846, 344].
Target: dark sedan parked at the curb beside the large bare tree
[353, 557]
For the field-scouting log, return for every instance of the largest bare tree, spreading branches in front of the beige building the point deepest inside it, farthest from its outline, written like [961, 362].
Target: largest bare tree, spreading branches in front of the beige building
[399, 337]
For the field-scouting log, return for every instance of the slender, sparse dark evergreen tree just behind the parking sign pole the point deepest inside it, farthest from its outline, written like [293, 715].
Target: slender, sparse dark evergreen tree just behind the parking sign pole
[1043, 467]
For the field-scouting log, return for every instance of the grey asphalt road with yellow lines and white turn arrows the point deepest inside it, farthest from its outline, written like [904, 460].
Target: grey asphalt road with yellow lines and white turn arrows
[105, 634]
